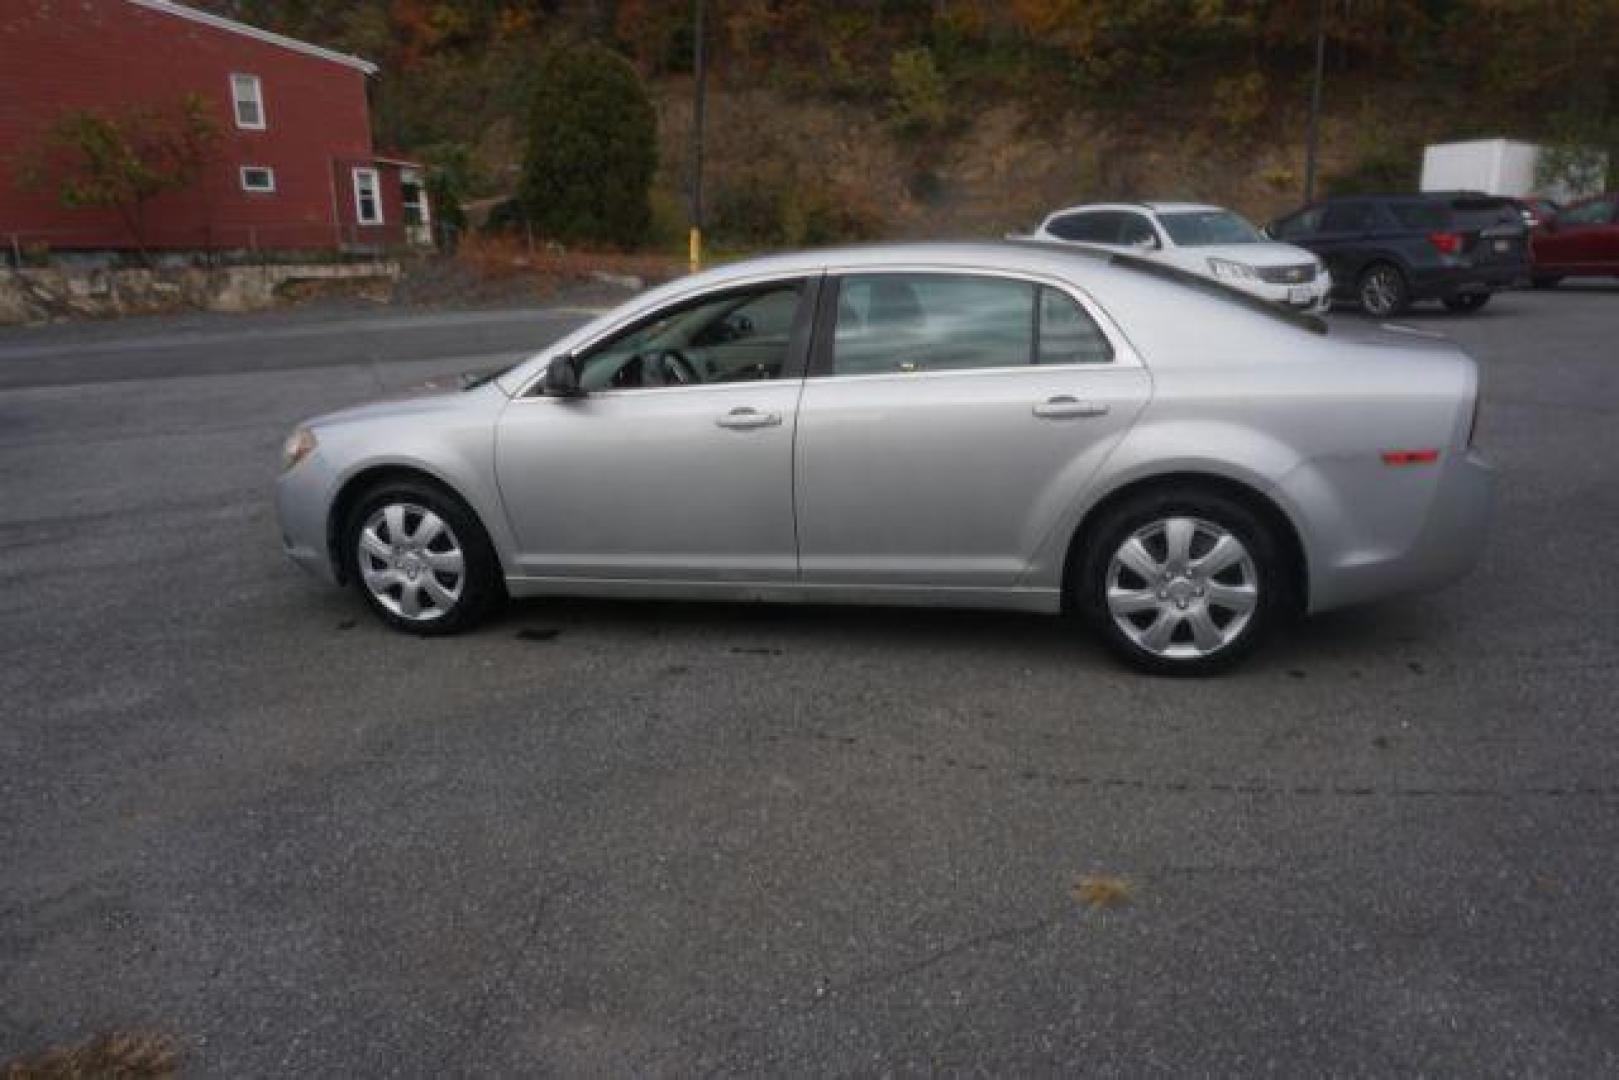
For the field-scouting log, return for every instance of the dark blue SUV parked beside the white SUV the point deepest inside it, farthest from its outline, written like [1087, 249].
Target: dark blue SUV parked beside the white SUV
[1387, 252]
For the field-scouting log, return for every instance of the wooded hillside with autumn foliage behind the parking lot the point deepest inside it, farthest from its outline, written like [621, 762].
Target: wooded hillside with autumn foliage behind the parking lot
[846, 119]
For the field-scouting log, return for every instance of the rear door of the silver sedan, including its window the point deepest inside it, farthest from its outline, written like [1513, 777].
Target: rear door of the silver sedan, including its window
[948, 423]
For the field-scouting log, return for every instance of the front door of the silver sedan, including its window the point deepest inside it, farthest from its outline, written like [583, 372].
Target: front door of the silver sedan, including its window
[678, 462]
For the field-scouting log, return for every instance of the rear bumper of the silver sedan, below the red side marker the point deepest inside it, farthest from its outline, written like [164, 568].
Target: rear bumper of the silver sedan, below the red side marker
[1445, 548]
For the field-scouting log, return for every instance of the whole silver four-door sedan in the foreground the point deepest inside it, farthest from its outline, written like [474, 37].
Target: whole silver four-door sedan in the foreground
[961, 425]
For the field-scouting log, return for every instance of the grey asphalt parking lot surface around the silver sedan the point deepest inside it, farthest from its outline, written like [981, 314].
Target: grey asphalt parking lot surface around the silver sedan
[606, 838]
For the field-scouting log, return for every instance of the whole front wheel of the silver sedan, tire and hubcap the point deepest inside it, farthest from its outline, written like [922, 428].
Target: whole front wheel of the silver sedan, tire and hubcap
[422, 559]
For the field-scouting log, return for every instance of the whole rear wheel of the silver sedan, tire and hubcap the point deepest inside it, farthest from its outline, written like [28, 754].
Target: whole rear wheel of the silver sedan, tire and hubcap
[1183, 582]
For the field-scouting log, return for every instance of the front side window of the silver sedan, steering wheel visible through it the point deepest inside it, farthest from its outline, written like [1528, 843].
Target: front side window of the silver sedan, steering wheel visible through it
[742, 336]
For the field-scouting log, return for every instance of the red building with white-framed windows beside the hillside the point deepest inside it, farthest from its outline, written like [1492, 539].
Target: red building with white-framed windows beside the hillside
[294, 168]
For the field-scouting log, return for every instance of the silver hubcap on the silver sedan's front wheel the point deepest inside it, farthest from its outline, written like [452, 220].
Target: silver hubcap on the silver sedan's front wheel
[412, 563]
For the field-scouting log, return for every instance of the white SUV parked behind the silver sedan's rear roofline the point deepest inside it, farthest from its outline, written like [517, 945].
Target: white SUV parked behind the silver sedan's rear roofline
[1207, 240]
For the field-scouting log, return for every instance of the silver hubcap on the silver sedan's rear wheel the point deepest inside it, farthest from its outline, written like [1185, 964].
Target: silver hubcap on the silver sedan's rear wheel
[1183, 589]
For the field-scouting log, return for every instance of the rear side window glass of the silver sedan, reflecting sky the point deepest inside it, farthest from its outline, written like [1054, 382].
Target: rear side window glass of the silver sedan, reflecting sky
[916, 323]
